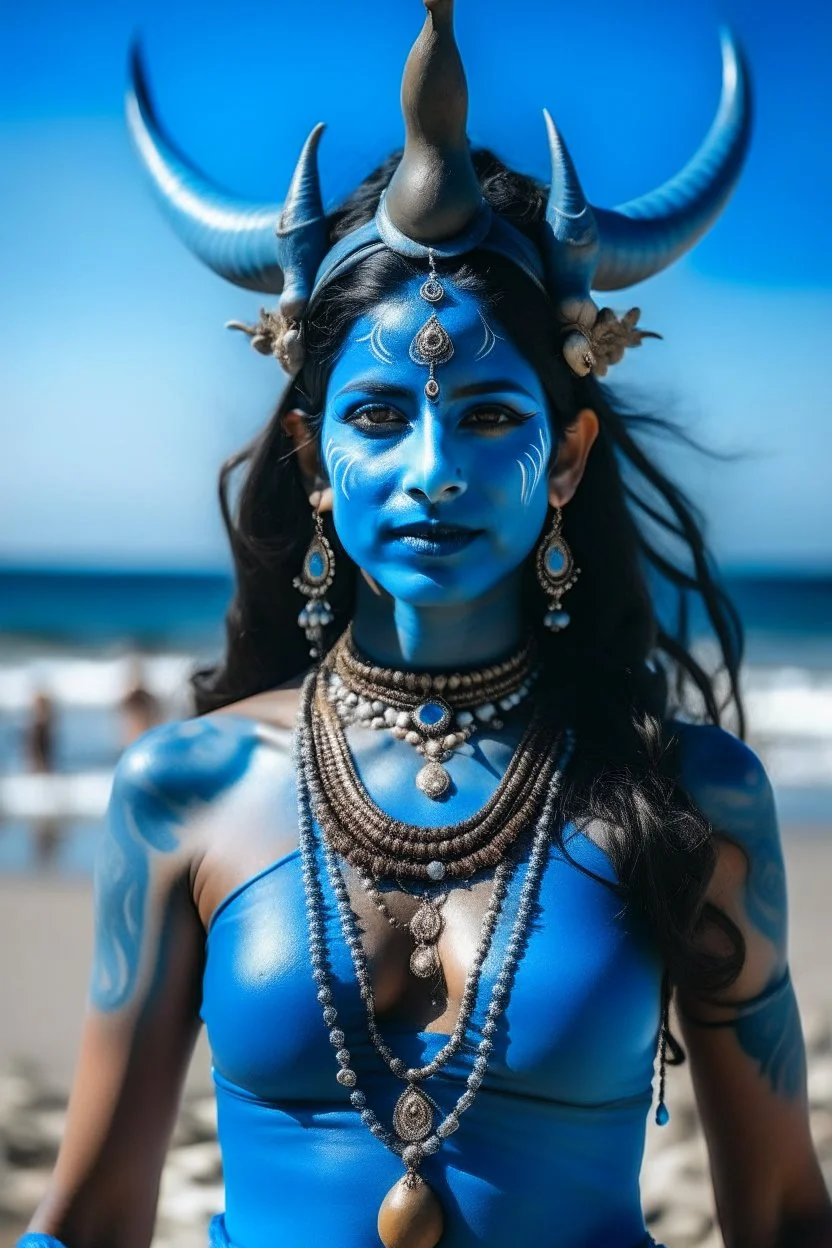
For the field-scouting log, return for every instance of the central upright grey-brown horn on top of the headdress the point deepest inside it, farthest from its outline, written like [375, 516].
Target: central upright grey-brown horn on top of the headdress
[435, 193]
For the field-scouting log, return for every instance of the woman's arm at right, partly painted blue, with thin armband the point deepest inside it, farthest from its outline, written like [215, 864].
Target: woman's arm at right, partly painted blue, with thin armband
[749, 1066]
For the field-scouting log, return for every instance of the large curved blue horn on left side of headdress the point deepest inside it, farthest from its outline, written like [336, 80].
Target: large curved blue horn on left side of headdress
[233, 238]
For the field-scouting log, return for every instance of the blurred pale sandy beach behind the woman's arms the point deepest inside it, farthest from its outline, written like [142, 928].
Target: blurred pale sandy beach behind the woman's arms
[46, 948]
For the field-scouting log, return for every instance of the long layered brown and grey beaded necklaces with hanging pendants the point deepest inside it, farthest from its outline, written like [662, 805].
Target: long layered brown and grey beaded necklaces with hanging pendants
[411, 1215]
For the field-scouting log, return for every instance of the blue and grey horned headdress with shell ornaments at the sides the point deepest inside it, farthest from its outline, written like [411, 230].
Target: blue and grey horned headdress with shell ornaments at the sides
[435, 207]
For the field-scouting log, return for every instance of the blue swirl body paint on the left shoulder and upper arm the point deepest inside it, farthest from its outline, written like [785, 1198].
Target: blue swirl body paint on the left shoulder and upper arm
[162, 781]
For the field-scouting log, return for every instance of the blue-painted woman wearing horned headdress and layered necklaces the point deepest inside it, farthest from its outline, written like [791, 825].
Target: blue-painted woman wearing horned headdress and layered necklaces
[450, 878]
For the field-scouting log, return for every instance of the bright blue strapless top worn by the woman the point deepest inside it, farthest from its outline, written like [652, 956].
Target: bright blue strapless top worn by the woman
[552, 1149]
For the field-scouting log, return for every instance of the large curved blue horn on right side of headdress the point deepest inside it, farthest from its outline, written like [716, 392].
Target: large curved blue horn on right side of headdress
[647, 235]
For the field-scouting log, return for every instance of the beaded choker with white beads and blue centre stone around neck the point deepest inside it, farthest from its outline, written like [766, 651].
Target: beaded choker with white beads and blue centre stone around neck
[433, 712]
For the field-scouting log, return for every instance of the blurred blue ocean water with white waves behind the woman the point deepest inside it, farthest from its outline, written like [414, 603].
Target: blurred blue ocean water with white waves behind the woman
[83, 640]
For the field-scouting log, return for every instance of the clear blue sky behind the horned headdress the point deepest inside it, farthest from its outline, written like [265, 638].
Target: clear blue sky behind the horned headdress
[122, 394]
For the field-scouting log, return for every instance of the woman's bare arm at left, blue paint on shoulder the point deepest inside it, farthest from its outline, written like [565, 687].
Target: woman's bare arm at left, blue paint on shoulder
[143, 1016]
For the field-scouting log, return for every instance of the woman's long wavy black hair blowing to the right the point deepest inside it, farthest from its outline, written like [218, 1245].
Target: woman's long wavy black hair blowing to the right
[618, 673]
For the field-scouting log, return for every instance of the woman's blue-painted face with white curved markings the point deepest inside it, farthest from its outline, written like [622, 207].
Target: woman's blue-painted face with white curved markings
[438, 500]
